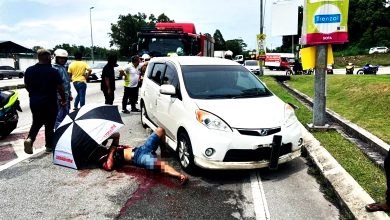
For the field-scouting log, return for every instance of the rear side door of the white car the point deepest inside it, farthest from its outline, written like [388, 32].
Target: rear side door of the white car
[152, 90]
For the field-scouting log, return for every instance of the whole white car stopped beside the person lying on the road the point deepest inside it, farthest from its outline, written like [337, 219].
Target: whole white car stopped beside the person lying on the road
[217, 114]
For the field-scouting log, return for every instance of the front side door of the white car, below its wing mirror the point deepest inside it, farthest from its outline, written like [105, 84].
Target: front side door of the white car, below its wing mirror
[169, 107]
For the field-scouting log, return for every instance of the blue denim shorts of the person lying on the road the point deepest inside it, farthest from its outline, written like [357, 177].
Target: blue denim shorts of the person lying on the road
[144, 156]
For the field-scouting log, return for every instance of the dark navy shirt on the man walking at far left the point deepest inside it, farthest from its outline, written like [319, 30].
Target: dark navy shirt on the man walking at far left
[41, 82]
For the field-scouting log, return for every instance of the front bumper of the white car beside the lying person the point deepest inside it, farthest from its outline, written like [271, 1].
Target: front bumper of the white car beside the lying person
[233, 150]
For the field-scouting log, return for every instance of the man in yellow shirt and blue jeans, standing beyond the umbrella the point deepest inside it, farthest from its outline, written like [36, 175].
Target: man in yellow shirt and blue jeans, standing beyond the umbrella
[78, 72]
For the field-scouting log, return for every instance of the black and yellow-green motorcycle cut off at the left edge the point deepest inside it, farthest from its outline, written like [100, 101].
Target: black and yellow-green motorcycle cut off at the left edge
[9, 105]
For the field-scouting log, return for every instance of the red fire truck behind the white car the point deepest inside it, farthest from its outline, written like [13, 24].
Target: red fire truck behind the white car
[174, 38]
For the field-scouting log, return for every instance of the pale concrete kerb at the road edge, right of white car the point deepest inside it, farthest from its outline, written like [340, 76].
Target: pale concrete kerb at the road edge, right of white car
[350, 192]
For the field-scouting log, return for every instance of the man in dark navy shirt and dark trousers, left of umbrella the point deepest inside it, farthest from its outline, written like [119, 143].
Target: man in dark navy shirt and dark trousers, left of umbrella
[42, 83]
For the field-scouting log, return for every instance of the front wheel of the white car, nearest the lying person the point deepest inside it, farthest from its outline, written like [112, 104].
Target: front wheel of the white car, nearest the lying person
[184, 152]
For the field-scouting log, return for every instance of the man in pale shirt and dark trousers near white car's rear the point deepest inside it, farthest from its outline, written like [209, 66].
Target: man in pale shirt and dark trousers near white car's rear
[131, 76]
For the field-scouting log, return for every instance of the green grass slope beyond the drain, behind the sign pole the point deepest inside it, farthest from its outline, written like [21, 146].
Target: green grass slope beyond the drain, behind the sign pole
[364, 100]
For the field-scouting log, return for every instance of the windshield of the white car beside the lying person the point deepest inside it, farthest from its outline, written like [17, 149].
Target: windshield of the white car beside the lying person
[222, 82]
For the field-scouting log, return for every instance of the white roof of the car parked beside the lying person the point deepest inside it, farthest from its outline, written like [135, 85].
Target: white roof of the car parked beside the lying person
[196, 60]
